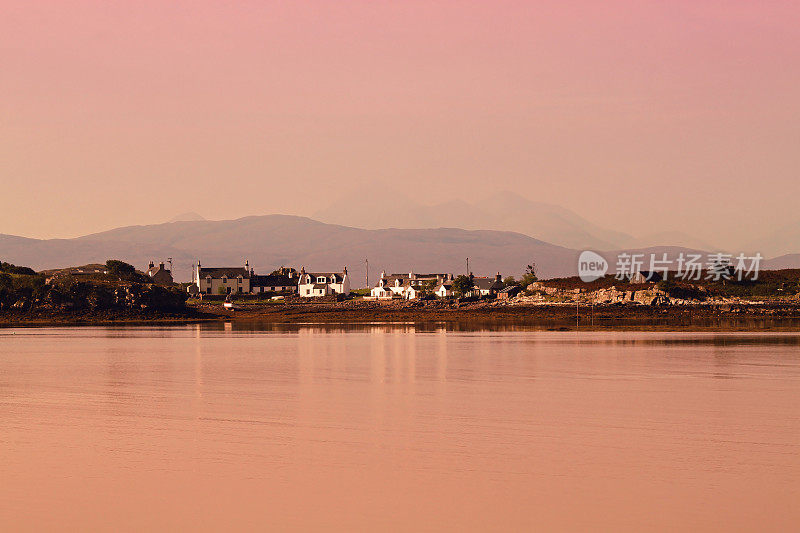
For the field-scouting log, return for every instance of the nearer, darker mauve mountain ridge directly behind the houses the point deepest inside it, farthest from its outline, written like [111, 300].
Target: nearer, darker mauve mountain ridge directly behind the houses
[273, 240]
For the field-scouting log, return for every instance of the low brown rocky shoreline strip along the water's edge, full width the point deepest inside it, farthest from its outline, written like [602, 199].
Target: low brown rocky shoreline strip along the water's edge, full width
[523, 311]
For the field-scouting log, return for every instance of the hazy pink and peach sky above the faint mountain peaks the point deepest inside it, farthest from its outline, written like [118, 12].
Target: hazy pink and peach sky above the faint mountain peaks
[644, 116]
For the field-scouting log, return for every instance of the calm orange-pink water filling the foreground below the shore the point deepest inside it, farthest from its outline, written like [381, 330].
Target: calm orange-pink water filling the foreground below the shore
[392, 428]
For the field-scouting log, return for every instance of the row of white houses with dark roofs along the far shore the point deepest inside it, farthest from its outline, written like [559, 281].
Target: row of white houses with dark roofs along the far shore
[238, 280]
